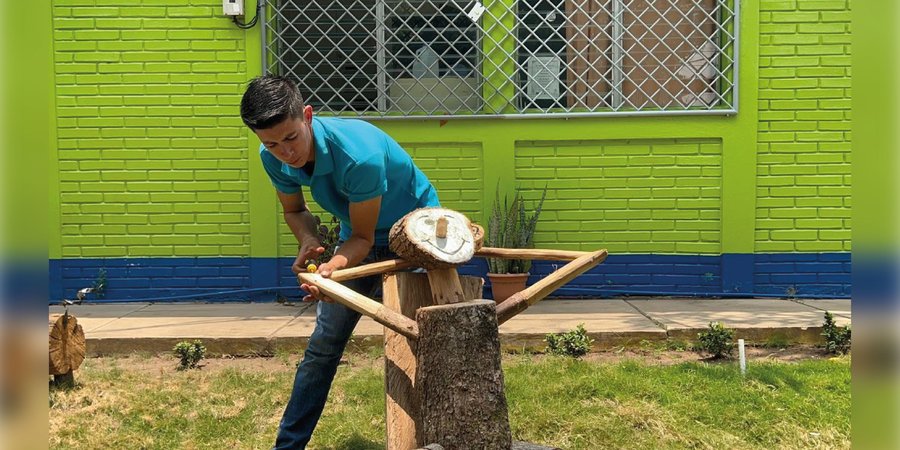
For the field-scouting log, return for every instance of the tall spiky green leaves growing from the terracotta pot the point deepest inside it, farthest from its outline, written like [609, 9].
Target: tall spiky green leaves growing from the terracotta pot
[510, 226]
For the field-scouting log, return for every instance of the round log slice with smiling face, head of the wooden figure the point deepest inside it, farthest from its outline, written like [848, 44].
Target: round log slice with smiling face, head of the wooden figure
[415, 238]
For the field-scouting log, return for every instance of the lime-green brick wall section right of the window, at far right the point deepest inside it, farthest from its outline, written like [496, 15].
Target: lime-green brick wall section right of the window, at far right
[803, 201]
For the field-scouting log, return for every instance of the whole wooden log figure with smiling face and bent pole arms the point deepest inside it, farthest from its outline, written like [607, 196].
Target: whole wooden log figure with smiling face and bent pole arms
[438, 335]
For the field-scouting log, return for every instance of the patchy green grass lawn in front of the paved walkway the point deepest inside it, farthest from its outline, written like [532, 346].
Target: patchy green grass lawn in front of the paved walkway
[605, 401]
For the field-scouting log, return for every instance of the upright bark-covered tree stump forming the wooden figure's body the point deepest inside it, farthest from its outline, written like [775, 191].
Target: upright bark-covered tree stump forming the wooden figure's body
[460, 378]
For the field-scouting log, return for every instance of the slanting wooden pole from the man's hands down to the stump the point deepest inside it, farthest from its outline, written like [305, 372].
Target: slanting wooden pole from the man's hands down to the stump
[362, 304]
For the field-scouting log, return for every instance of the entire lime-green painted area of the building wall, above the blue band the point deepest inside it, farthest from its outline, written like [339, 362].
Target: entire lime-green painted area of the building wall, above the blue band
[153, 159]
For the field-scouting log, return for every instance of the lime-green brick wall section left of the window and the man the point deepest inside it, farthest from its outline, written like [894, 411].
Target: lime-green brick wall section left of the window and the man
[152, 153]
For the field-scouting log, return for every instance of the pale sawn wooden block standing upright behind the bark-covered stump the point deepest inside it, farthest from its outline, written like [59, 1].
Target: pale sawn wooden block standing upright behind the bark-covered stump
[406, 292]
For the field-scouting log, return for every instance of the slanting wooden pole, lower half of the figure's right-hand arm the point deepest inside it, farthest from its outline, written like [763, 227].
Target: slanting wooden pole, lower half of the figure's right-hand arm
[520, 301]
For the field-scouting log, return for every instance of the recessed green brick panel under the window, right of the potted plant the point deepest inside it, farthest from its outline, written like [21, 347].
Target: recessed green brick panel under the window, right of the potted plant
[627, 196]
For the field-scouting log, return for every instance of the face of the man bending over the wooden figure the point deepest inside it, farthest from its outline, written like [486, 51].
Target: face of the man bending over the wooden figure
[291, 140]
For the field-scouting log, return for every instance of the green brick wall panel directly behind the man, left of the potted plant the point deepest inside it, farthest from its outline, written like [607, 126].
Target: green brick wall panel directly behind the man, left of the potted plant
[455, 170]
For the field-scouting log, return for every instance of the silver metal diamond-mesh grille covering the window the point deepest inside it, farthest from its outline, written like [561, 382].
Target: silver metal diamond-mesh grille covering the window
[443, 58]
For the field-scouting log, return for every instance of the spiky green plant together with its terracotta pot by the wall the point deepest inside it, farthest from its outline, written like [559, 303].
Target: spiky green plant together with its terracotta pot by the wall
[510, 226]
